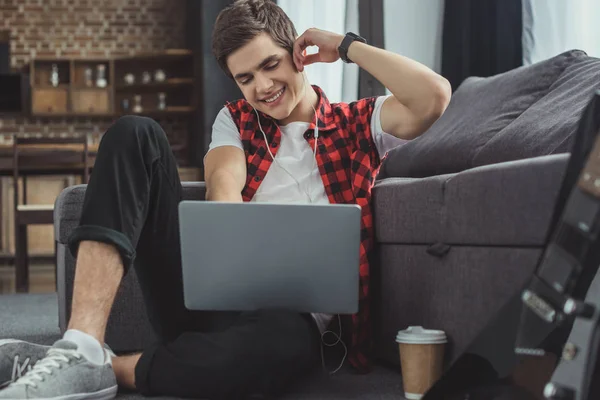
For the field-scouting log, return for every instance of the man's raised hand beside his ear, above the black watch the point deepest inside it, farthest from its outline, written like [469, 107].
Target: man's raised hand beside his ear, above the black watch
[327, 42]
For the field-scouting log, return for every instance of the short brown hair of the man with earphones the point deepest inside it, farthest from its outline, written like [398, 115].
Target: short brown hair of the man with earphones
[242, 21]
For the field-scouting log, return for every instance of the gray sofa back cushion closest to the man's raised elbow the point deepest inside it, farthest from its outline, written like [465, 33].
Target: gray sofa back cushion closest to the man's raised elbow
[480, 109]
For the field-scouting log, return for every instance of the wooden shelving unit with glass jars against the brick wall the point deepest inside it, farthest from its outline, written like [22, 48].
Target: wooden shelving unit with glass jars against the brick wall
[76, 95]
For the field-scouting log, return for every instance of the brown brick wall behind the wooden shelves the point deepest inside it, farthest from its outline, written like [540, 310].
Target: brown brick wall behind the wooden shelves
[88, 28]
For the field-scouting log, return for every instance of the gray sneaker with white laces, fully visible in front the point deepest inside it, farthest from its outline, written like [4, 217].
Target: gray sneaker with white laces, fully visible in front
[65, 374]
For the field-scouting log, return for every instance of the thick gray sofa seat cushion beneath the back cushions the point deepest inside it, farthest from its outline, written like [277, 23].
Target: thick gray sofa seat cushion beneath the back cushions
[507, 204]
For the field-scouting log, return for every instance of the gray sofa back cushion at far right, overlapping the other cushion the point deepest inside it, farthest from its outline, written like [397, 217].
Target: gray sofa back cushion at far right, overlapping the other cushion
[548, 125]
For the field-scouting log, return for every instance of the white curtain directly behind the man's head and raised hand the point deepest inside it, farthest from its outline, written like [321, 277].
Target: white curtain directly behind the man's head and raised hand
[328, 15]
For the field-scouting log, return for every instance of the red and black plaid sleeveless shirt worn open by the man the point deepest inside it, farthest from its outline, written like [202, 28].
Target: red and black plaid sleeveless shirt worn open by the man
[348, 161]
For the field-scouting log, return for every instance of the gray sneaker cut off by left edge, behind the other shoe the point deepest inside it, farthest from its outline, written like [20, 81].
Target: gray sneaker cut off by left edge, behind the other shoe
[17, 357]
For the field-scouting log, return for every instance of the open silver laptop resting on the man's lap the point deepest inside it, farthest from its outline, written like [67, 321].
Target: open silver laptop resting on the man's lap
[248, 256]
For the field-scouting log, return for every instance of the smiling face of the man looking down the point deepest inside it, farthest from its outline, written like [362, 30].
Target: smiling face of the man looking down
[268, 79]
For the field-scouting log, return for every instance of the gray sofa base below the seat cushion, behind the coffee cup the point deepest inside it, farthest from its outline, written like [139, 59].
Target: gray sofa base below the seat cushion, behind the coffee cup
[458, 292]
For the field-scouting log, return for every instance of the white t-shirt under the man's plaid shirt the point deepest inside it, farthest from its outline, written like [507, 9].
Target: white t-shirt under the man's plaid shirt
[296, 156]
